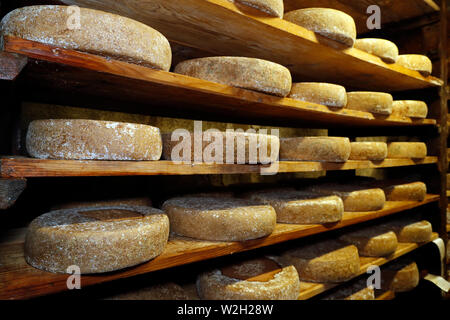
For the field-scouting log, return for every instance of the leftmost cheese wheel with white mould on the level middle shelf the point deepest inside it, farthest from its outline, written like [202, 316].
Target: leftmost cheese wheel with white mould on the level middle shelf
[92, 140]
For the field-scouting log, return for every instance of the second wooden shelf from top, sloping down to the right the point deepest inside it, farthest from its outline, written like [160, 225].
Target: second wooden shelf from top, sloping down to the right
[72, 76]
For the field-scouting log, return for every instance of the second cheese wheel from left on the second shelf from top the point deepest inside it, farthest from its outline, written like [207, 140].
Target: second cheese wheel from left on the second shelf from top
[247, 73]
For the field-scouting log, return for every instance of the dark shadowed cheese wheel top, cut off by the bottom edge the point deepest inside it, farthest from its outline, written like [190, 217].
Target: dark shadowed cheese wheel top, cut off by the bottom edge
[163, 291]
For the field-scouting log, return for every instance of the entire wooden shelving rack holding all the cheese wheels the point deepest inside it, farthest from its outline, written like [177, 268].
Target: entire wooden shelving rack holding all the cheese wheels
[235, 31]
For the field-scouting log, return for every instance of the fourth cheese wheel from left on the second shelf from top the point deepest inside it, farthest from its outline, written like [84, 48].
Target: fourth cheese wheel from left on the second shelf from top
[374, 102]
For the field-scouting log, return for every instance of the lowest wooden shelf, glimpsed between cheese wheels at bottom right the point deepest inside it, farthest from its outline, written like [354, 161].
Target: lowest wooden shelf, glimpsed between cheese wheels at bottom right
[309, 290]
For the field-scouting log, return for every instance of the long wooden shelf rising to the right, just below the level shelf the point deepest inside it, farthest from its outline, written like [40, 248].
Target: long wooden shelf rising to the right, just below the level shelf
[19, 280]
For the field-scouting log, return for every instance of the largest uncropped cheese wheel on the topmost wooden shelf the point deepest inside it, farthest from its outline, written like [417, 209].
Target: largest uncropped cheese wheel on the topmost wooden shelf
[330, 23]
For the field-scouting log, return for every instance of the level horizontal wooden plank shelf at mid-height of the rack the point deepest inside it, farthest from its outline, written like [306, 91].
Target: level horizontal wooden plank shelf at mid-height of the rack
[28, 167]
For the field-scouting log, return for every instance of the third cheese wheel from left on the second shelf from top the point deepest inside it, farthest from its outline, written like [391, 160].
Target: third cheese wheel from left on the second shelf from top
[327, 94]
